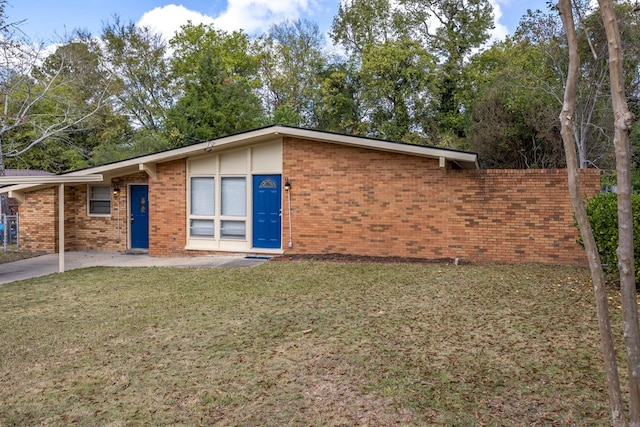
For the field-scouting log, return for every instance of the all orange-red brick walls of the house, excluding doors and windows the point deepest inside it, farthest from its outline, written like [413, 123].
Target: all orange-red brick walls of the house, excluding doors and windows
[354, 201]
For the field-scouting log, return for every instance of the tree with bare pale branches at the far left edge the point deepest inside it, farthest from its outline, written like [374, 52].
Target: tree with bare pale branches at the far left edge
[42, 103]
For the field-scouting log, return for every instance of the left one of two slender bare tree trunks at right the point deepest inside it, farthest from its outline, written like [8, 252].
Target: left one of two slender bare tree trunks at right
[597, 275]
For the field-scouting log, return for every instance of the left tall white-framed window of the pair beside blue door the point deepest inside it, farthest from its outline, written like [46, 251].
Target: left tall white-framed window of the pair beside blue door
[203, 203]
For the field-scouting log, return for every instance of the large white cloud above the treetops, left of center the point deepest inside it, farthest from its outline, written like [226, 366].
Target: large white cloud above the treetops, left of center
[251, 16]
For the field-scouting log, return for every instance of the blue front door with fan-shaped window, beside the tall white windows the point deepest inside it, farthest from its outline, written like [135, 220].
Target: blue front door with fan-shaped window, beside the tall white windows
[267, 204]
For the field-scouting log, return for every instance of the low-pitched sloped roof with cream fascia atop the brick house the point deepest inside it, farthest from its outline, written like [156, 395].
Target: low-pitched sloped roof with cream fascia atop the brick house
[462, 159]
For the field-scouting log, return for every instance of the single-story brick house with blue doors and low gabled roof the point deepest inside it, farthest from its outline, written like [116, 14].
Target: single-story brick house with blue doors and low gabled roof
[283, 190]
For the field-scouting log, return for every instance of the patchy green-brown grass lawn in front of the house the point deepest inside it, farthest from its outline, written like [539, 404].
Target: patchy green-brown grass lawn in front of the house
[303, 344]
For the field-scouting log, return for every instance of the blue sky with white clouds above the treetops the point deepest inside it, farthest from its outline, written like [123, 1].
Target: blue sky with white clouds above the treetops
[46, 19]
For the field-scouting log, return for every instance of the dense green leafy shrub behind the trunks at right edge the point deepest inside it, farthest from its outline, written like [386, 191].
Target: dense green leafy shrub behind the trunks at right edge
[602, 211]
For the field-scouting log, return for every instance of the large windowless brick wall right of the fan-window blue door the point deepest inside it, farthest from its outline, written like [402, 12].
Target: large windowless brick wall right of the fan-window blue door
[367, 202]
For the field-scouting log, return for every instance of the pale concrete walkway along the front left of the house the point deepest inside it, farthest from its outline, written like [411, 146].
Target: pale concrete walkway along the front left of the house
[48, 264]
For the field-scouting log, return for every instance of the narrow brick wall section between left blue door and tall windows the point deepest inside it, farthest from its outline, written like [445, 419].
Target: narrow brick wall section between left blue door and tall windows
[168, 209]
